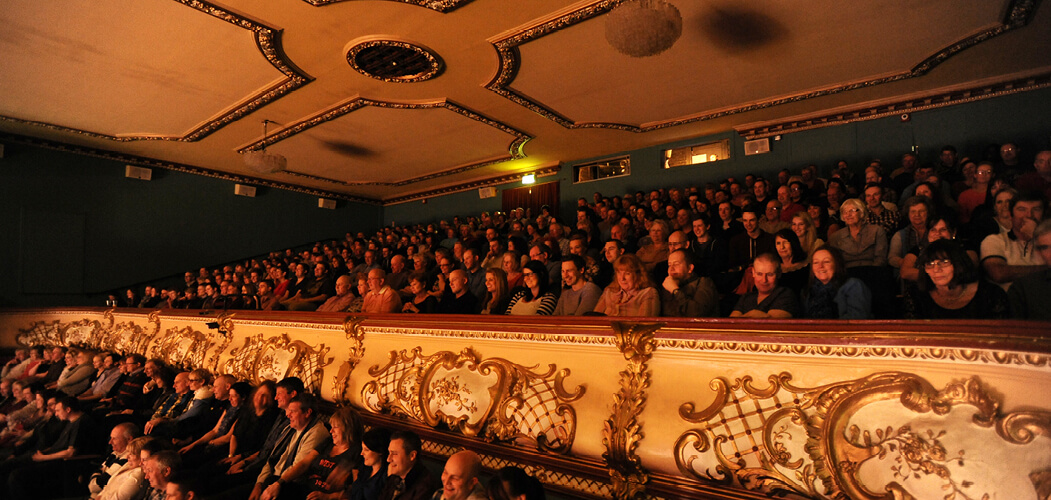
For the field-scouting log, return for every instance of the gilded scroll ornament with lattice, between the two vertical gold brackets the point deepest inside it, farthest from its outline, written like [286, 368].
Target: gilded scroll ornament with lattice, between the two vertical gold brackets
[494, 399]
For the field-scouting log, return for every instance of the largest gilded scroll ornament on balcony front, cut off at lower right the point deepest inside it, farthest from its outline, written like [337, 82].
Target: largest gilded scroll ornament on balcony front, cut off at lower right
[860, 440]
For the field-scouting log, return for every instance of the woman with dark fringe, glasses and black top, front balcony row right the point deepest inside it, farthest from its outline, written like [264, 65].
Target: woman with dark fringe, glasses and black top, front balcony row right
[951, 289]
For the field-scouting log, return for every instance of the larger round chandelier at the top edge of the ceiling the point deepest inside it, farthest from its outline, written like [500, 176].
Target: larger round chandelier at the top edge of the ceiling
[644, 28]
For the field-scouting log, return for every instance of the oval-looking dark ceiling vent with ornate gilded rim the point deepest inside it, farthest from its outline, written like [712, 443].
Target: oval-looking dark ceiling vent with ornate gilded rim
[394, 61]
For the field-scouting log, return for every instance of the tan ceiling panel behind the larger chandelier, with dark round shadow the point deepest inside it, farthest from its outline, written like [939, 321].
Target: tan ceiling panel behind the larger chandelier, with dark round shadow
[731, 55]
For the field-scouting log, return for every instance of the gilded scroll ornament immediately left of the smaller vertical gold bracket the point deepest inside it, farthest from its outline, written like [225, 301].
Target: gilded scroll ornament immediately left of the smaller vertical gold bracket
[278, 358]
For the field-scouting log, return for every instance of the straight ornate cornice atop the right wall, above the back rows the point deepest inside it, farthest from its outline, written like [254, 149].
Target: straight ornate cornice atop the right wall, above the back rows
[921, 102]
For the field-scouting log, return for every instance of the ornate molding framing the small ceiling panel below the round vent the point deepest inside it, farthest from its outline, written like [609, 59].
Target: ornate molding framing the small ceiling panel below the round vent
[514, 151]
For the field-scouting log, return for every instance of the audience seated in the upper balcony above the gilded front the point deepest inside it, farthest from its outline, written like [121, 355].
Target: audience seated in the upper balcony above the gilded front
[692, 252]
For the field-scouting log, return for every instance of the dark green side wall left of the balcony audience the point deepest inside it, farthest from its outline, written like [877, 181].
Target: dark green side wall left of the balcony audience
[73, 227]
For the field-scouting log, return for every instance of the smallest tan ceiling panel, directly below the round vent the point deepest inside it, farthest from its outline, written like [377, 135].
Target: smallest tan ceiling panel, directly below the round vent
[389, 145]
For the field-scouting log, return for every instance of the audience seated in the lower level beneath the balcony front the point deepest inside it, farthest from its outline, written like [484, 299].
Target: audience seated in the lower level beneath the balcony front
[138, 429]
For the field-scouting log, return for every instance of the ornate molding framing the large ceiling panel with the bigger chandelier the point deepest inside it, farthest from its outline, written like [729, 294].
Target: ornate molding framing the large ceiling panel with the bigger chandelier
[1020, 13]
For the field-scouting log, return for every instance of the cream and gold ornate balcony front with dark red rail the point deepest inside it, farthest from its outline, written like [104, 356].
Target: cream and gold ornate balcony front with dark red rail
[649, 408]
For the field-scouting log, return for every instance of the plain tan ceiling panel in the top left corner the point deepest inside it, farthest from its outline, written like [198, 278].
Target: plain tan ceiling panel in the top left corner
[132, 68]
